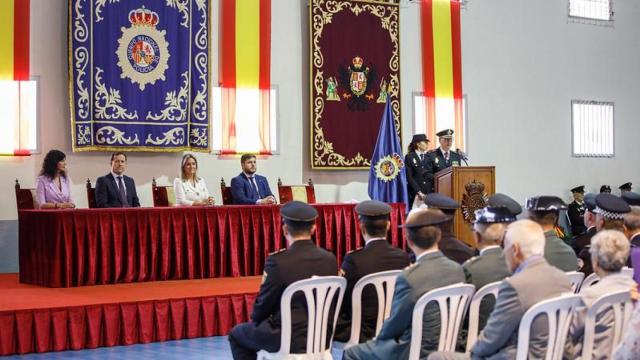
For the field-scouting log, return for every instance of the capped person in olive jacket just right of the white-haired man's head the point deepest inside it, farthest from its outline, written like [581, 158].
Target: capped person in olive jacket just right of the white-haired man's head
[545, 210]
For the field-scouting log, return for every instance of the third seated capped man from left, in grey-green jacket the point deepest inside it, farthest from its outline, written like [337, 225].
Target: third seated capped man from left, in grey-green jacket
[432, 270]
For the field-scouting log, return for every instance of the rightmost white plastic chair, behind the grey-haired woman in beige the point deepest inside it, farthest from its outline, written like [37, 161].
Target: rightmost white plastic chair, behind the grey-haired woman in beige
[619, 303]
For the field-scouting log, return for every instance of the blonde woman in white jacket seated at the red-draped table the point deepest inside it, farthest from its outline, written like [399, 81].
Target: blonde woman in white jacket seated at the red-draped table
[190, 189]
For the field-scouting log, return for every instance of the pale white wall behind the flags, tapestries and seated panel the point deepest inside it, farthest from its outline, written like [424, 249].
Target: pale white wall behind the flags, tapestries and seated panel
[522, 64]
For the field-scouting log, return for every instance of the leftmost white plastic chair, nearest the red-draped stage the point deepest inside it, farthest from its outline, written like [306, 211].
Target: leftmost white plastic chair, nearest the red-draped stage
[320, 292]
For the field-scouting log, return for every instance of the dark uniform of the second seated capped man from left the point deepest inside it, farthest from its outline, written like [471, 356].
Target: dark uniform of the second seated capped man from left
[376, 256]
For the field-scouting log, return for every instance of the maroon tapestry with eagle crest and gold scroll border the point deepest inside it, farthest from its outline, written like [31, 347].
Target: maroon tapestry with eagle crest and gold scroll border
[355, 67]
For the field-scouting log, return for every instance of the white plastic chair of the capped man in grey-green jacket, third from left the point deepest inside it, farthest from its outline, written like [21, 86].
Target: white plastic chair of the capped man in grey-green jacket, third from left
[453, 301]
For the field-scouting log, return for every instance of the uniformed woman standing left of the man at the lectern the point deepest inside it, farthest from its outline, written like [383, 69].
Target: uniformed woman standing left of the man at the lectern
[418, 168]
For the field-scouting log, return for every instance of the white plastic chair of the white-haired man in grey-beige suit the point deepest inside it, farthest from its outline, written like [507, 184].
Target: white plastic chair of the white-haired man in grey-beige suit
[559, 313]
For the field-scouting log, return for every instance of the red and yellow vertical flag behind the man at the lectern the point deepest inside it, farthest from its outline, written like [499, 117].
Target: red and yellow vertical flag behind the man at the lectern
[442, 67]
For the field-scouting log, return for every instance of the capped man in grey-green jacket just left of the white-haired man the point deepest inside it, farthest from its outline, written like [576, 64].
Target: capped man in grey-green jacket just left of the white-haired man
[490, 265]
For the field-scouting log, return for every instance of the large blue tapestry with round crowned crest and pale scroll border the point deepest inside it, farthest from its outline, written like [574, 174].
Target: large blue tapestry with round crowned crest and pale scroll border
[139, 75]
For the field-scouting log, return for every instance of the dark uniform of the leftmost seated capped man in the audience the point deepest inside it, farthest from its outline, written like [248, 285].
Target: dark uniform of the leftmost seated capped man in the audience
[300, 261]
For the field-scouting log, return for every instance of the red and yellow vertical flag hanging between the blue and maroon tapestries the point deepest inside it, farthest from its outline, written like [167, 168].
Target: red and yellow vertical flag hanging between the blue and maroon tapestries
[245, 70]
